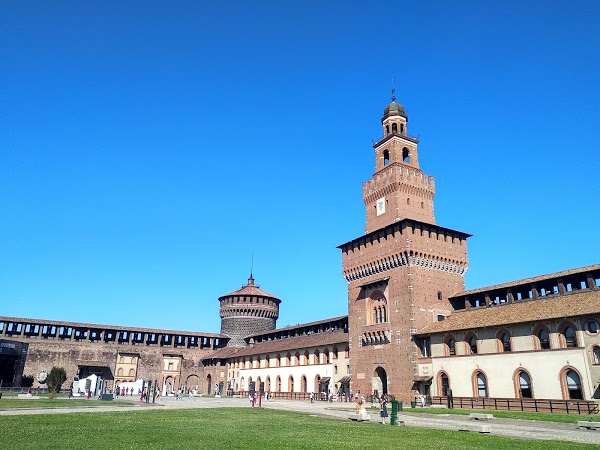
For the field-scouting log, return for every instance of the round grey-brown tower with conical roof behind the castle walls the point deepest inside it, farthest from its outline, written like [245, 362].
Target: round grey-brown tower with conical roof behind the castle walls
[247, 311]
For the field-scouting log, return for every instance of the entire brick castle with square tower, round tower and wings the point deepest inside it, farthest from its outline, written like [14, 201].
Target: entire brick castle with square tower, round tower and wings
[411, 327]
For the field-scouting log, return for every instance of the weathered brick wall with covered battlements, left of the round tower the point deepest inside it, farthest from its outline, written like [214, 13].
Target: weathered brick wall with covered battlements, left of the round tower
[110, 352]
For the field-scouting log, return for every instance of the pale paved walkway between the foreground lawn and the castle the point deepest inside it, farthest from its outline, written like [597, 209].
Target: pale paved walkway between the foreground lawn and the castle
[524, 429]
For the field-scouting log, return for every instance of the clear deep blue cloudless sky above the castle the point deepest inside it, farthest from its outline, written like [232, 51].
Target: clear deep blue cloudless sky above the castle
[149, 149]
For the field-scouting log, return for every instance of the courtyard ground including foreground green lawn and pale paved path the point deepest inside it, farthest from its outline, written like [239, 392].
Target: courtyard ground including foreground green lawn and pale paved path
[209, 422]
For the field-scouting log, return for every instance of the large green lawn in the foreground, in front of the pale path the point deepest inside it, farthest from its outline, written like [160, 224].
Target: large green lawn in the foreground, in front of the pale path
[234, 428]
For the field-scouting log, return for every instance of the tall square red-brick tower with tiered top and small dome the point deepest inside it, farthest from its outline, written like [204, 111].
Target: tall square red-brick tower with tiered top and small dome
[401, 272]
